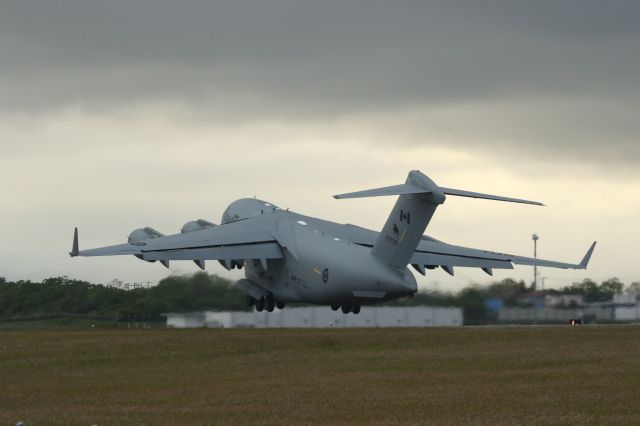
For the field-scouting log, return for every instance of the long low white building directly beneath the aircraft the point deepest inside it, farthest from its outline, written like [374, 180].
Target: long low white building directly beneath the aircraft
[321, 317]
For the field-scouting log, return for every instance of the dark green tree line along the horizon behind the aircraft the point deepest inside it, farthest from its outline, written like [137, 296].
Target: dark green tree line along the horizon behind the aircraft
[202, 291]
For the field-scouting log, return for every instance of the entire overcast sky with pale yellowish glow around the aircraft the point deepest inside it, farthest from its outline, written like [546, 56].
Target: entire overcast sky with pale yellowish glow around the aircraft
[121, 114]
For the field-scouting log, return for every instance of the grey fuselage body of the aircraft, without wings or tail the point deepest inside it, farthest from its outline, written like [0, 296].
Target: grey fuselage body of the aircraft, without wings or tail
[327, 268]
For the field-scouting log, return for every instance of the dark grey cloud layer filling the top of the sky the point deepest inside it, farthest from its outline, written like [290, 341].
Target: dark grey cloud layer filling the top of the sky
[324, 59]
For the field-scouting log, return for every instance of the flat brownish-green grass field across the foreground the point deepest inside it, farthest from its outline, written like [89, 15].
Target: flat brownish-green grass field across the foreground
[527, 375]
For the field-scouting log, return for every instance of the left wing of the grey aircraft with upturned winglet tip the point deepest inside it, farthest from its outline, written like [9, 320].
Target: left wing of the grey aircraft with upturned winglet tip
[242, 240]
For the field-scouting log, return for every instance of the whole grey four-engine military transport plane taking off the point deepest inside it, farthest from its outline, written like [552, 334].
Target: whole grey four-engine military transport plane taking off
[291, 258]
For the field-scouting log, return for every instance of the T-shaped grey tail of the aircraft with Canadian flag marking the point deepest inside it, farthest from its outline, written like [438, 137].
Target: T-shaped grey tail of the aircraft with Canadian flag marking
[419, 197]
